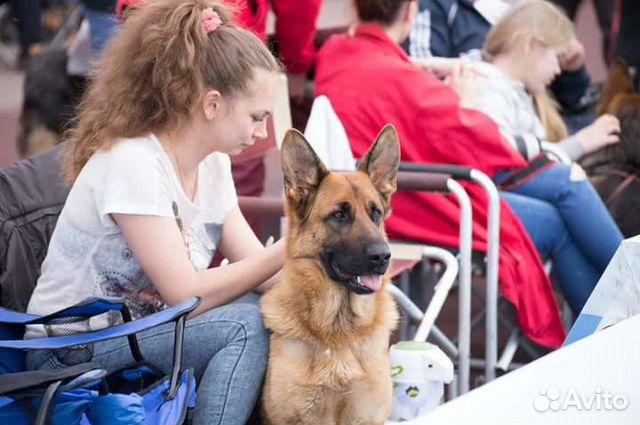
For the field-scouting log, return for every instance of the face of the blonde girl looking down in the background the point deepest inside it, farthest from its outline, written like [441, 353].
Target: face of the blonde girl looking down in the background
[542, 66]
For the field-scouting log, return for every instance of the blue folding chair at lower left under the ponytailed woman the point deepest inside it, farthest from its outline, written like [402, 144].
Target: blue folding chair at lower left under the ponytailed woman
[83, 393]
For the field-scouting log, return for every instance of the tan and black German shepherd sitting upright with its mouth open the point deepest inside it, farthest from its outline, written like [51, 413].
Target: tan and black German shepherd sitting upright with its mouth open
[329, 315]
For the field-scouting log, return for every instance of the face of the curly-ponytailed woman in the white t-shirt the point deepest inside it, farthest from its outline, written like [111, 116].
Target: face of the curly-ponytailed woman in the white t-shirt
[243, 118]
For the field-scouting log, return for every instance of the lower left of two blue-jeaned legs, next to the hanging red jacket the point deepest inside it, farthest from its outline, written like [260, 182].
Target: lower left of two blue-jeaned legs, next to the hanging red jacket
[575, 275]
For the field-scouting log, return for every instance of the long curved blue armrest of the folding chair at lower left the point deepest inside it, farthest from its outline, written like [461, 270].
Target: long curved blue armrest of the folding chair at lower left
[125, 329]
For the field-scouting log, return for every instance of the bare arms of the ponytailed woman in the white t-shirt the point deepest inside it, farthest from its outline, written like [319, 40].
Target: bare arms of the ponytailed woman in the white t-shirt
[159, 247]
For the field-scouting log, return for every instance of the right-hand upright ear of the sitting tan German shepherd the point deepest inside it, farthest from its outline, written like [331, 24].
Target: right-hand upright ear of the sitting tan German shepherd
[382, 161]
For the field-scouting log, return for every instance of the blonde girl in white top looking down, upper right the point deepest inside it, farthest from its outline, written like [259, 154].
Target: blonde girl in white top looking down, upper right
[523, 52]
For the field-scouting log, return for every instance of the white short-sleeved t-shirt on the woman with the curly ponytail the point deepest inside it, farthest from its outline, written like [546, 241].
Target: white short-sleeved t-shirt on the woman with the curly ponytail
[88, 255]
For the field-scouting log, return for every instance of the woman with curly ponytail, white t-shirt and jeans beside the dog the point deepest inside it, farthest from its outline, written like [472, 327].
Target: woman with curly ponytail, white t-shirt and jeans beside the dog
[178, 90]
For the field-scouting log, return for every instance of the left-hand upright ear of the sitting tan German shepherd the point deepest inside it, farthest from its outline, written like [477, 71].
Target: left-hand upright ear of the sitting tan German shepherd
[302, 170]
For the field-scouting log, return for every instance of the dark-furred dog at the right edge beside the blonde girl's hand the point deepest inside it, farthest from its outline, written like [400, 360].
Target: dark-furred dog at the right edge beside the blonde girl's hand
[614, 170]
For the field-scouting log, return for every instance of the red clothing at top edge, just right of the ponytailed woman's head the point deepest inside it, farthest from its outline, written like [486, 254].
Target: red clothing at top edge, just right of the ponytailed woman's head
[295, 27]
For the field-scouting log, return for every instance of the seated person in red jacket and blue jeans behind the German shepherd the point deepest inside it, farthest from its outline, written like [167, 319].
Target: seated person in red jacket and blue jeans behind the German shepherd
[370, 81]
